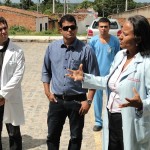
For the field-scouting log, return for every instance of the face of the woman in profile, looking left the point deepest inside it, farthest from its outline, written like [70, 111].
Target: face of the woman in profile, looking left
[127, 38]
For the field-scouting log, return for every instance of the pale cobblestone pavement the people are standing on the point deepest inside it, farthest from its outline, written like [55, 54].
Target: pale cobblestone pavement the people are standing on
[34, 131]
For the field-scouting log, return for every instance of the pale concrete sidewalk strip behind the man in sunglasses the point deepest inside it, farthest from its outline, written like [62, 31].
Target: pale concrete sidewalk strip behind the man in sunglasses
[39, 38]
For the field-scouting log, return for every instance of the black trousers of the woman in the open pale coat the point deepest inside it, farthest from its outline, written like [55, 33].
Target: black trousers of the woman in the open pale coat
[115, 131]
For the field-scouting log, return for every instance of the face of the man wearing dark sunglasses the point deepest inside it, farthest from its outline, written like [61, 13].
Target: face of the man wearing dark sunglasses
[68, 30]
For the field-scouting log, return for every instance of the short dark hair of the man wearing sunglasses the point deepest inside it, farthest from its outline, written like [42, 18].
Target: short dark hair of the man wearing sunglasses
[68, 18]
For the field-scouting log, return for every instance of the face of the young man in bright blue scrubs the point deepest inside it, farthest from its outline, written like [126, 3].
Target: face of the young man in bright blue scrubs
[103, 28]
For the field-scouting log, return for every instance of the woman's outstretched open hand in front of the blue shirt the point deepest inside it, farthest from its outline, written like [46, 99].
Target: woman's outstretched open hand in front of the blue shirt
[76, 75]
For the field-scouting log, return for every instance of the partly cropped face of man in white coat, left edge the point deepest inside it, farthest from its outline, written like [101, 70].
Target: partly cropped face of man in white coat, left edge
[3, 33]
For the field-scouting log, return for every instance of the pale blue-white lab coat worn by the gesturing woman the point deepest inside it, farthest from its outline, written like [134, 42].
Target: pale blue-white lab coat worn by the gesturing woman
[136, 130]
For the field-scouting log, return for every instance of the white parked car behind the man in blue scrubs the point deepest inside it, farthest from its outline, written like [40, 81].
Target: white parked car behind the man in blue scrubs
[92, 30]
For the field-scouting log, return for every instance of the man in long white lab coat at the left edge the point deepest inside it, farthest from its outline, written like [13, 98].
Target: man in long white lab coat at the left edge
[12, 65]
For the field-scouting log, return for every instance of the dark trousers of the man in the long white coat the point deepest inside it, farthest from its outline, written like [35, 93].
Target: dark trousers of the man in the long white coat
[15, 139]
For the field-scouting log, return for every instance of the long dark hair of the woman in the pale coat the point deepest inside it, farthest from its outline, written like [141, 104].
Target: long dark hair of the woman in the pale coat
[141, 29]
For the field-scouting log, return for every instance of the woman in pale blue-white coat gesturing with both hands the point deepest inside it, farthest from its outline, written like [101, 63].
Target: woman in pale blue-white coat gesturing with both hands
[127, 116]
